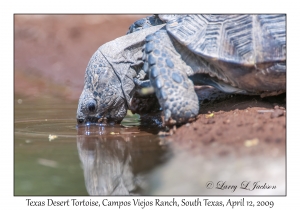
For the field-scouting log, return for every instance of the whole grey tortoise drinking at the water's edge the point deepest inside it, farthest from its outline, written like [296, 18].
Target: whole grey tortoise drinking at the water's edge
[240, 54]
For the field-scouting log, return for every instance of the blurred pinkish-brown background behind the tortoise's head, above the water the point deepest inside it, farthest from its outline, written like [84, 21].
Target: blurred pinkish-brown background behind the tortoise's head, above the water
[52, 51]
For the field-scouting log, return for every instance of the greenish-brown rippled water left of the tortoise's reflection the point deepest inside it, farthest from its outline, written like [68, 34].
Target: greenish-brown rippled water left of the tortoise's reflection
[44, 167]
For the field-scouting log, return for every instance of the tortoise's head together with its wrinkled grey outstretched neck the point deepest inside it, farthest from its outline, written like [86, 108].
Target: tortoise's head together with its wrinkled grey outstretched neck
[109, 77]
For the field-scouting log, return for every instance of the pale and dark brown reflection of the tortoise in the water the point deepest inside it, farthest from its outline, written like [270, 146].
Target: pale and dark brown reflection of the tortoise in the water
[115, 160]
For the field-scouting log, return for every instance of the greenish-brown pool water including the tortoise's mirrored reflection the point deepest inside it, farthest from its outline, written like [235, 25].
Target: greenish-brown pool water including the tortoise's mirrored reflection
[53, 157]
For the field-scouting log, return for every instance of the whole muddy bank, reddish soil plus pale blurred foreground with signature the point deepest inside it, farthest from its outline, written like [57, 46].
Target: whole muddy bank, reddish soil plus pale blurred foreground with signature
[239, 141]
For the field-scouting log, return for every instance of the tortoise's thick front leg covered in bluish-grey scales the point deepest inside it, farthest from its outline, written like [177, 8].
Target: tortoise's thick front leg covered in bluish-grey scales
[168, 75]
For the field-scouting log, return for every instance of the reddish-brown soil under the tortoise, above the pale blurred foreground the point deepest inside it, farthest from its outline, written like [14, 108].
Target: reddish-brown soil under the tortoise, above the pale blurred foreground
[249, 124]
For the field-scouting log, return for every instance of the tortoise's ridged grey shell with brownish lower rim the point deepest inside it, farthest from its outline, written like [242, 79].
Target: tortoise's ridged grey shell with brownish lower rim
[246, 51]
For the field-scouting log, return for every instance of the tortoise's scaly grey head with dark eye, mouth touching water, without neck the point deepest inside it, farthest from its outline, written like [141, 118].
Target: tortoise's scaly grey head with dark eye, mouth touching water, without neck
[103, 98]
